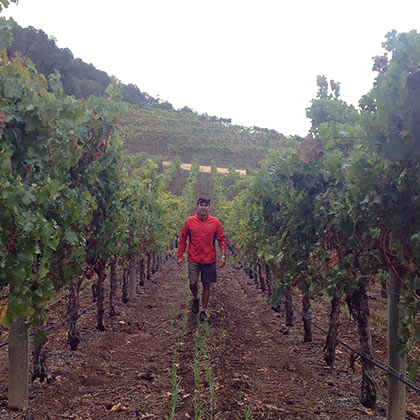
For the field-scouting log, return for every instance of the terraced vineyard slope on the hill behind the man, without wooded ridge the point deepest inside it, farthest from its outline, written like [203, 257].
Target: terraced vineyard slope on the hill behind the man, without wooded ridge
[188, 135]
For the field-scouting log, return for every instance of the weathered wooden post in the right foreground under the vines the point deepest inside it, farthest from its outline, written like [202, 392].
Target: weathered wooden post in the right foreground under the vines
[396, 360]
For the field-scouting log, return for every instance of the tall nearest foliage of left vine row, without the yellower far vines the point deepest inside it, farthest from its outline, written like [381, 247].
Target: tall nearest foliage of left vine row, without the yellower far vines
[56, 153]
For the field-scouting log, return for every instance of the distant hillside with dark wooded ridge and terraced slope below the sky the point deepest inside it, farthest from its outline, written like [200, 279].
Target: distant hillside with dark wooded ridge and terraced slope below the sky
[151, 125]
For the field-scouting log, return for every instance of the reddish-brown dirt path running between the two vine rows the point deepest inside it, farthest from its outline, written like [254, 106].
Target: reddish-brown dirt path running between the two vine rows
[241, 364]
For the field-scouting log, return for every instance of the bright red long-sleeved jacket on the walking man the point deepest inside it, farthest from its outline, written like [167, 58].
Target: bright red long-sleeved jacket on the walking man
[202, 237]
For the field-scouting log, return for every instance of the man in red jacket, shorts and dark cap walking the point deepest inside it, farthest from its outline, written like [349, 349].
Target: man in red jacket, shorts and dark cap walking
[202, 231]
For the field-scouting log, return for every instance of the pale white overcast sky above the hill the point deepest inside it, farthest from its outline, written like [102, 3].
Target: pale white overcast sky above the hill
[255, 62]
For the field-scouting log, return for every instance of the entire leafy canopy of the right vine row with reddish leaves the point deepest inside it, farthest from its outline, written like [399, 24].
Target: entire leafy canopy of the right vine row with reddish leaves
[342, 207]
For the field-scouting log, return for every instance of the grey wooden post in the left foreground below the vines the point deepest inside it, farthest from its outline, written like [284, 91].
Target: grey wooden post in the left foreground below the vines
[18, 365]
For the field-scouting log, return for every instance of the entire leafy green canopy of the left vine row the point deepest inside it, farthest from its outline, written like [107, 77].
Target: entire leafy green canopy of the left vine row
[68, 197]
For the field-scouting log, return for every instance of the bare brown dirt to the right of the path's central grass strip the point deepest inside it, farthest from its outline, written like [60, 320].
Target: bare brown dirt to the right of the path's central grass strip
[269, 368]
